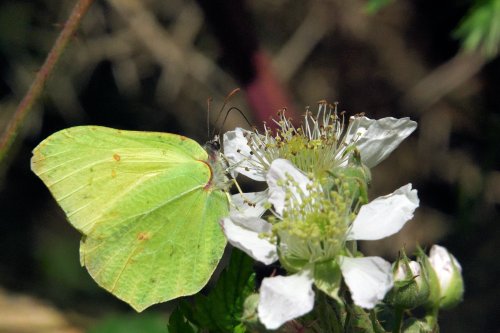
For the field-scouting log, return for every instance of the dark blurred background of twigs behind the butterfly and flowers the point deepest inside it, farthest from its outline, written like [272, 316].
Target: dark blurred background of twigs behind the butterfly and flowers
[152, 65]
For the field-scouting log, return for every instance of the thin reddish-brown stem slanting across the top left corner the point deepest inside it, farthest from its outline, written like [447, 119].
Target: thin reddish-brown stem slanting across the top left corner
[38, 84]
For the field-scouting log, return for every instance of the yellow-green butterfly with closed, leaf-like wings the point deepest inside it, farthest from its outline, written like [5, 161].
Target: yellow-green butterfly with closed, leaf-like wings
[148, 205]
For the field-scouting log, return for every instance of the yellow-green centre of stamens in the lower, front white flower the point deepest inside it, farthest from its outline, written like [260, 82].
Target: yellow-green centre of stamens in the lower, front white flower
[313, 227]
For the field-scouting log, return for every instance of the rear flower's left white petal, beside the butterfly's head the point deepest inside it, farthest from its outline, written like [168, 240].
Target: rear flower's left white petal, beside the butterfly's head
[238, 154]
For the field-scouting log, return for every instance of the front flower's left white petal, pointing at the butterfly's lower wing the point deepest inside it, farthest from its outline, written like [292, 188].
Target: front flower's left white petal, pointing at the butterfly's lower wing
[243, 233]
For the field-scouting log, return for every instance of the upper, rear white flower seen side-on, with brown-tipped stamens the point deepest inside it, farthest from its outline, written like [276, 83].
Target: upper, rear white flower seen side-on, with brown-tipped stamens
[320, 145]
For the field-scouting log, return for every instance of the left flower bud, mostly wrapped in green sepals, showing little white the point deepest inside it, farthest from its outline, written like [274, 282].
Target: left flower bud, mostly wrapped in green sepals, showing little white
[411, 288]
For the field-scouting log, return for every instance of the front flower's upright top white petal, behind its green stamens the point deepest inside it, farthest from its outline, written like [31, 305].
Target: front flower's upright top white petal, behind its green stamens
[280, 171]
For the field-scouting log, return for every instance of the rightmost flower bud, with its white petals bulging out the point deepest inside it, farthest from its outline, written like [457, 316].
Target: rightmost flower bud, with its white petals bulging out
[448, 276]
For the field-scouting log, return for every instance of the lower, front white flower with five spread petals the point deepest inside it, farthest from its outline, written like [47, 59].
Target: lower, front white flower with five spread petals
[309, 234]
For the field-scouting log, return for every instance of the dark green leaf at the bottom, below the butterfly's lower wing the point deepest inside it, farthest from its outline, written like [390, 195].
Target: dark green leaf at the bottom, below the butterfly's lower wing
[222, 309]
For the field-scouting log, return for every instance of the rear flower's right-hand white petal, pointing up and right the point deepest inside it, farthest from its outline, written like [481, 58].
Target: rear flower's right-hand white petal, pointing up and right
[376, 139]
